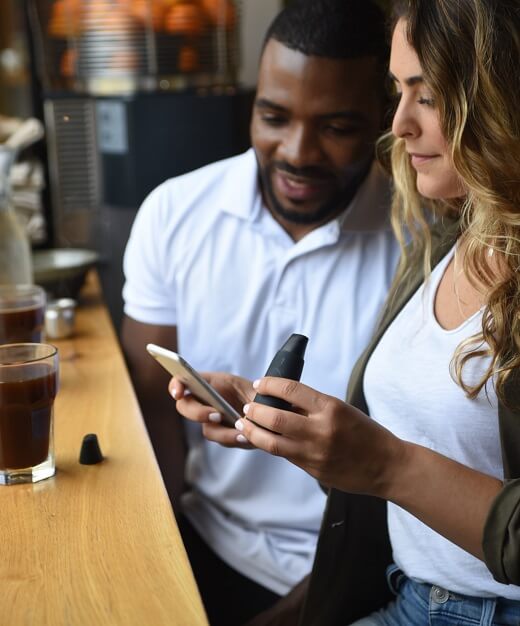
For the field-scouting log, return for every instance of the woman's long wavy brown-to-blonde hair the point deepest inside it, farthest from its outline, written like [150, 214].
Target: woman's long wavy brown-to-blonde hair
[469, 52]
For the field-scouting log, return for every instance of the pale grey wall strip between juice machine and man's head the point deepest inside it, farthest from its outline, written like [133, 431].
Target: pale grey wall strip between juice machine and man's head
[256, 17]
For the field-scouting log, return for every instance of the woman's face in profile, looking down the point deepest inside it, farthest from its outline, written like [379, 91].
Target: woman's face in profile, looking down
[416, 122]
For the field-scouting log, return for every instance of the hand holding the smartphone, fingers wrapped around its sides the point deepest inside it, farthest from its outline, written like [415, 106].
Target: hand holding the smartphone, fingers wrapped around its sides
[237, 391]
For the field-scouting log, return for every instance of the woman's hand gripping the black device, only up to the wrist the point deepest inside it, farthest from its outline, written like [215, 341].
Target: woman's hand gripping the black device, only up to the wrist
[333, 441]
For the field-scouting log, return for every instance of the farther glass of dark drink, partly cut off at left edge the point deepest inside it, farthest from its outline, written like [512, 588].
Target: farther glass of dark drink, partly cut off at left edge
[22, 309]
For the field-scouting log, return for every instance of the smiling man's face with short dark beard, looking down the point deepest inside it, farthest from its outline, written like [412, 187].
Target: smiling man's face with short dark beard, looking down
[313, 129]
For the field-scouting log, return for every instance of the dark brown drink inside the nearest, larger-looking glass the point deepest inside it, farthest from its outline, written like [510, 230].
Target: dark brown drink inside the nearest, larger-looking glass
[25, 419]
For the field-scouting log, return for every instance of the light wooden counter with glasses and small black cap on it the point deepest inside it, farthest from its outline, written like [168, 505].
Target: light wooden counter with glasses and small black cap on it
[95, 545]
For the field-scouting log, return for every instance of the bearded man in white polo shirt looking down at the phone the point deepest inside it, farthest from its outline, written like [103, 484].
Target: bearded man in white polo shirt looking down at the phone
[224, 263]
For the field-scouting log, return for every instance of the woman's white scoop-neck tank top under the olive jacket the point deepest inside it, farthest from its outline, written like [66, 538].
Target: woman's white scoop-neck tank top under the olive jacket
[409, 390]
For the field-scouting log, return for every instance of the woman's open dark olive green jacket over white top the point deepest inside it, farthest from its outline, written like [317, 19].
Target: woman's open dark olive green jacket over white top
[348, 578]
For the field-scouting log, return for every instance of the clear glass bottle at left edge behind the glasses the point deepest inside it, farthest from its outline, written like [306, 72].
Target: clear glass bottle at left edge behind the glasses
[15, 250]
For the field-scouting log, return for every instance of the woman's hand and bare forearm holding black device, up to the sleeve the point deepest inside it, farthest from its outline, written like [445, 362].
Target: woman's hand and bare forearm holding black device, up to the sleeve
[343, 448]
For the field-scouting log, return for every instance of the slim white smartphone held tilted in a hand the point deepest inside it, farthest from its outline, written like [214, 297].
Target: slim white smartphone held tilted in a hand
[200, 388]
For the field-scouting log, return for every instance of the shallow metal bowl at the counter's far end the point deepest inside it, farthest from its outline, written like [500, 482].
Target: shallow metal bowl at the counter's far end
[62, 271]
